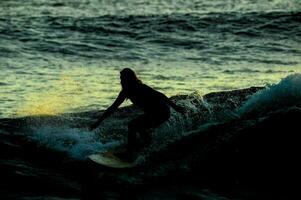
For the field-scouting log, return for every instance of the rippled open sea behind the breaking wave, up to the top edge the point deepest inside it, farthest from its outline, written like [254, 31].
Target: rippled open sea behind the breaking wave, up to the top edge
[65, 56]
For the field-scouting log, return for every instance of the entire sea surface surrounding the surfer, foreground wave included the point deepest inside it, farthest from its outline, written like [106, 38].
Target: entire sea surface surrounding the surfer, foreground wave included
[63, 56]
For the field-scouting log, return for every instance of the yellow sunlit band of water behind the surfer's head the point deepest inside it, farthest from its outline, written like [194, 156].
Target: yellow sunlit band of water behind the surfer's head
[79, 89]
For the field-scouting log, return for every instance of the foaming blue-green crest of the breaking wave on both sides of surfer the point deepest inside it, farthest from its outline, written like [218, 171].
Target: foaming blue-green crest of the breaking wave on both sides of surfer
[67, 133]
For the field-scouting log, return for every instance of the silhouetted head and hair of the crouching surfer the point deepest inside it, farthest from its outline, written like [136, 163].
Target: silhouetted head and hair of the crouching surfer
[128, 78]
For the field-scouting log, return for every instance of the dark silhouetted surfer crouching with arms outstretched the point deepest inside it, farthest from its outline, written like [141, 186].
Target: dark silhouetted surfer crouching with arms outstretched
[156, 107]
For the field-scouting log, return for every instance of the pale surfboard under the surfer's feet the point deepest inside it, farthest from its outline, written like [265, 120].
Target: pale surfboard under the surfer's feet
[108, 159]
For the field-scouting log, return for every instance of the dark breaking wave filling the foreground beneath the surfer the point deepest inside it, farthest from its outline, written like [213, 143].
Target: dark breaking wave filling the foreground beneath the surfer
[214, 140]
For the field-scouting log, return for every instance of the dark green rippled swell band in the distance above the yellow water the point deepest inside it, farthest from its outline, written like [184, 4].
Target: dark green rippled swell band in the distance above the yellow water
[180, 31]
